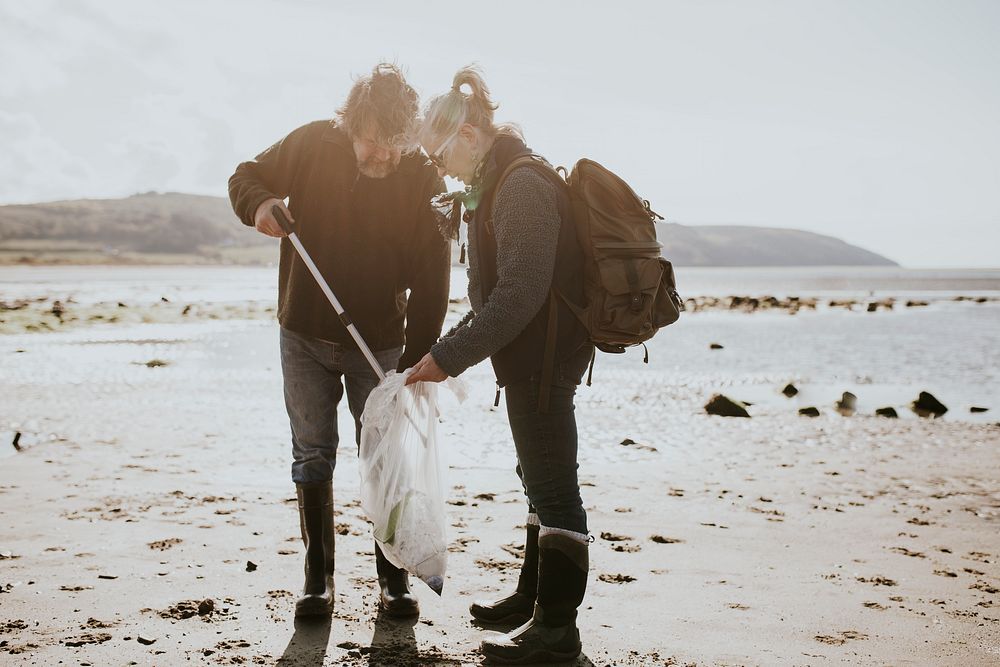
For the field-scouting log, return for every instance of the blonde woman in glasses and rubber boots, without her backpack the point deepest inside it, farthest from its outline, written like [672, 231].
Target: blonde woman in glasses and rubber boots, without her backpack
[524, 265]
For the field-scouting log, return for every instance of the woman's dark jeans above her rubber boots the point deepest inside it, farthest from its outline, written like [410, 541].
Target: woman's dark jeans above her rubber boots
[546, 444]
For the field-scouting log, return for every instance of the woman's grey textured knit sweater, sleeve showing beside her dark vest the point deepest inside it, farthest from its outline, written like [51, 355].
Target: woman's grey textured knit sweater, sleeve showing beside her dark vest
[526, 223]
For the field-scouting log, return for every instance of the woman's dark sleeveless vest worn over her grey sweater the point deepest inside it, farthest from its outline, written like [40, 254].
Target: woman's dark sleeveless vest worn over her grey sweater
[524, 357]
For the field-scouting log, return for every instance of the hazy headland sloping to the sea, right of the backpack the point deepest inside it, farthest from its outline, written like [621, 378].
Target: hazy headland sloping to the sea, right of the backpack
[731, 245]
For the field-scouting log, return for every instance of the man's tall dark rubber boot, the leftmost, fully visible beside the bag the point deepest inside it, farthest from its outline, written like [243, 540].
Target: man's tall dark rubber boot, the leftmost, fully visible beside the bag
[316, 523]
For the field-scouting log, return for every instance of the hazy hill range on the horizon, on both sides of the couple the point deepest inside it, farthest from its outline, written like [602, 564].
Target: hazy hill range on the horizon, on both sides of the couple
[175, 227]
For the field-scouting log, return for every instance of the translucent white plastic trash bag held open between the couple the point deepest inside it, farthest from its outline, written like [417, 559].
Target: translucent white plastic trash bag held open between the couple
[402, 484]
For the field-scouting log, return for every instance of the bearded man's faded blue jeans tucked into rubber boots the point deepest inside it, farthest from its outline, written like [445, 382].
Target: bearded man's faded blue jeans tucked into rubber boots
[313, 371]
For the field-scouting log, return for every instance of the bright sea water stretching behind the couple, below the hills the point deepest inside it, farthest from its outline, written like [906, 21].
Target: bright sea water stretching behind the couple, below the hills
[949, 347]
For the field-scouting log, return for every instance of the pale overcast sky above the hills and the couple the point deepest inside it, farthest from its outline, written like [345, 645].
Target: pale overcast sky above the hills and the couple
[873, 121]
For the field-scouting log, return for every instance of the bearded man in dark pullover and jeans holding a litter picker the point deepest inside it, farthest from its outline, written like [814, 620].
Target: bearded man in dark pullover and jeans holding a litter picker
[359, 199]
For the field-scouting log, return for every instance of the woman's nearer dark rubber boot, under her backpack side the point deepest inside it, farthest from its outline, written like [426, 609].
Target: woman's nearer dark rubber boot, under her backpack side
[551, 635]
